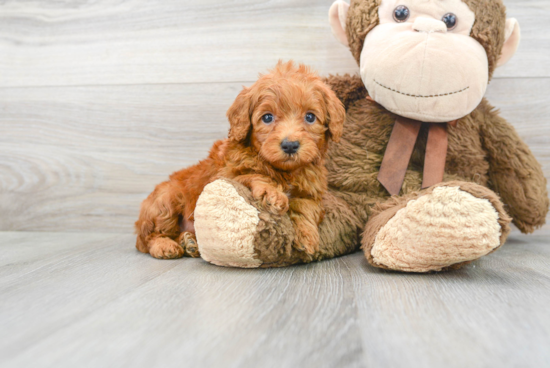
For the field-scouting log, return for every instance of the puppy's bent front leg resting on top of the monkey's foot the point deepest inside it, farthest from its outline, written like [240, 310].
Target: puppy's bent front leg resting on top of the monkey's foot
[265, 190]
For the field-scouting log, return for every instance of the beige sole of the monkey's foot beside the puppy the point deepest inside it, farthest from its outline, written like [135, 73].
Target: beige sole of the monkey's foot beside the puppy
[225, 226]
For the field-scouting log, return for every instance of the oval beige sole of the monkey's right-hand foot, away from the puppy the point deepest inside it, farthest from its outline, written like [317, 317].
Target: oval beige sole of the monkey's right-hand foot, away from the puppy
[437, 230]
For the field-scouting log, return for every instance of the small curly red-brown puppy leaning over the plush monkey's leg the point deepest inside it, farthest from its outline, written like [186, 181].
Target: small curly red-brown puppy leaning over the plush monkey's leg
[279, 132]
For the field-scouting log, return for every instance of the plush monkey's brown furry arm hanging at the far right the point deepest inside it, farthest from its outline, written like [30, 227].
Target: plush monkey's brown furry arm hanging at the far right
[514, 172]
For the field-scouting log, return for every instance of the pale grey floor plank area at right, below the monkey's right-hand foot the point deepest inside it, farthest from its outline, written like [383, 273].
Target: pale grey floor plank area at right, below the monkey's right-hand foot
[490, 314]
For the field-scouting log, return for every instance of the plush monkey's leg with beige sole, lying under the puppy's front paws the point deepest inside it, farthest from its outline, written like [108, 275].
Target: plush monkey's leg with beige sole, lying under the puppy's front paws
[233, 231]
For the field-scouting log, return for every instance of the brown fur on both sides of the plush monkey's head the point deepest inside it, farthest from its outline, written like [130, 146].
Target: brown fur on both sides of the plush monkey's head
[488, 28]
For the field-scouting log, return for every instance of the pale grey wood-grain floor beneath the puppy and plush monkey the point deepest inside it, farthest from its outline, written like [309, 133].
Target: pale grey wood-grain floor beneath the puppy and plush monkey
[94, 301]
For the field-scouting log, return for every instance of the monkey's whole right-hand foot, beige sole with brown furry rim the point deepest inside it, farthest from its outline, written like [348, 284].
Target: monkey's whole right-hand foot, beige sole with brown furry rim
[442, 227]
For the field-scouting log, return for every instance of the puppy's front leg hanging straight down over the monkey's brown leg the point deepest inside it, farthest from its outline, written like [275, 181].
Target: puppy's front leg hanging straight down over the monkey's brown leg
[306, 215]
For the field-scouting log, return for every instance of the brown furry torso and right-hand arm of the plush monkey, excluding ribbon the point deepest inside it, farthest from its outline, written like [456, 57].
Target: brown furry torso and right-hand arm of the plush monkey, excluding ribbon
[483, 148]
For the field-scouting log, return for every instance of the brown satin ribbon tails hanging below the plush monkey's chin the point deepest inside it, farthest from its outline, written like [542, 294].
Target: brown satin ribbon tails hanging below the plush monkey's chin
[399, 150]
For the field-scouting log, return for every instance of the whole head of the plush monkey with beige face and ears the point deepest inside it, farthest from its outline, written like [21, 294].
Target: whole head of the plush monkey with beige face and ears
[429, 60]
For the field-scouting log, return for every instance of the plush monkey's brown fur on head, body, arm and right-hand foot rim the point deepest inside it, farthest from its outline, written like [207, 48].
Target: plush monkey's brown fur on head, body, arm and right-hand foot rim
[484, 149]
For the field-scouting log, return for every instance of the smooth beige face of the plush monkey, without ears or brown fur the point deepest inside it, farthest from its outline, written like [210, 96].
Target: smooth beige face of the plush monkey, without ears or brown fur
[420, 61]
